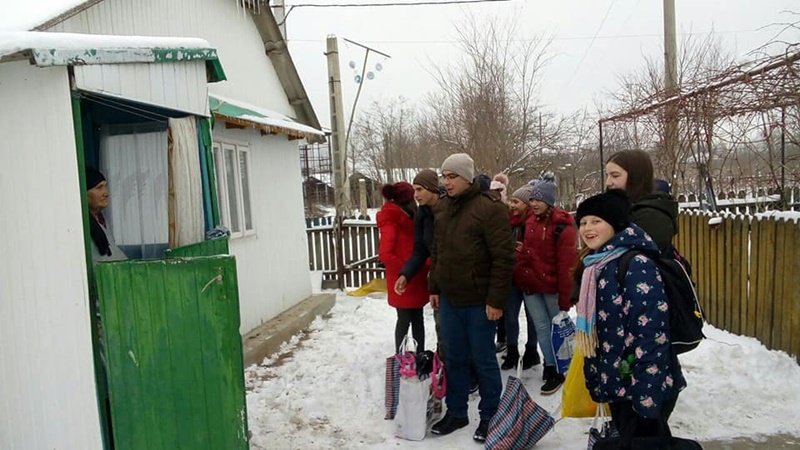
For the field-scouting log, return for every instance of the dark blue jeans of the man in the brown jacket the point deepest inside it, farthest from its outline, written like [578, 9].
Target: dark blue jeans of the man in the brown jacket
[469, 335]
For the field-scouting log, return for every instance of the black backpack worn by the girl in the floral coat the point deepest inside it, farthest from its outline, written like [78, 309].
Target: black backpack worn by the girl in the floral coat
[685, 315]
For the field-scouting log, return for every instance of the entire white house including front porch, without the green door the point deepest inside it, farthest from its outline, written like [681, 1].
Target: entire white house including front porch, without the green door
[107, 94]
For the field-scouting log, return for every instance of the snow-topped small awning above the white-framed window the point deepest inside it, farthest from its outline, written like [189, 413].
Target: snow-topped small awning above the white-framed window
[243, 115]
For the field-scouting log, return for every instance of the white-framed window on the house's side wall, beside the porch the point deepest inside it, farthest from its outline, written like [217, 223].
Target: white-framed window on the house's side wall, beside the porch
[220, 167]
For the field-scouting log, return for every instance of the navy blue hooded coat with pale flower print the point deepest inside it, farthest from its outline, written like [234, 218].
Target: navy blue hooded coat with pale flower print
[633, 326]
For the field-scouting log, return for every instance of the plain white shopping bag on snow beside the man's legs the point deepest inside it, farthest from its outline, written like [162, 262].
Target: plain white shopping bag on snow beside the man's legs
[411, 421]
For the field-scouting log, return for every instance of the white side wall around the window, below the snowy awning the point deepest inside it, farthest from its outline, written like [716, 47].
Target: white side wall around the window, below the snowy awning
[272, 264]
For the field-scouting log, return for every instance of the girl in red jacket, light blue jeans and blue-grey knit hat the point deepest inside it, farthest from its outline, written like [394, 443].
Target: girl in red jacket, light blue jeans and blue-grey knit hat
[549, 252]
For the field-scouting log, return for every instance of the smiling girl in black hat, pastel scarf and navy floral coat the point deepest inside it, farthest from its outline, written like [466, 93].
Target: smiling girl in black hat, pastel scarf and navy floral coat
[623, 327]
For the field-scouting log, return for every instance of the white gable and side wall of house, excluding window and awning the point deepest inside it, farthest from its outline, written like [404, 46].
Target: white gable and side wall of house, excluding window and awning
[272, 265]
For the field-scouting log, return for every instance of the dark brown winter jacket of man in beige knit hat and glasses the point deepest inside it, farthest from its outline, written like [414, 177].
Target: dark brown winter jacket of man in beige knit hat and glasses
[473, 253]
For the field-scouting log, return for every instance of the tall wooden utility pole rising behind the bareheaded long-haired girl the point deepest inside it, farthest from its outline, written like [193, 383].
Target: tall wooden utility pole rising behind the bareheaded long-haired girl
[670, 82]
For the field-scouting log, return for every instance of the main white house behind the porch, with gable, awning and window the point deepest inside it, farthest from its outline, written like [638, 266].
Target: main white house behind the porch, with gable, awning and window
[262, 205]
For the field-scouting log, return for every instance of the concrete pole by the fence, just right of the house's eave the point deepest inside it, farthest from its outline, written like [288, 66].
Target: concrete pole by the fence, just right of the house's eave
[341, 185]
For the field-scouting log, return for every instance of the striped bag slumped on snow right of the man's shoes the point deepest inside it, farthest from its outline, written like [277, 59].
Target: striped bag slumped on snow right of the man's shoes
[519, 422]
